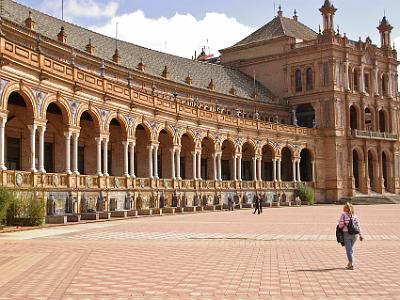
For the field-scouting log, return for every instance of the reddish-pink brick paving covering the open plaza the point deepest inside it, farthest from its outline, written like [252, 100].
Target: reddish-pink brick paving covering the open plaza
[285, 253]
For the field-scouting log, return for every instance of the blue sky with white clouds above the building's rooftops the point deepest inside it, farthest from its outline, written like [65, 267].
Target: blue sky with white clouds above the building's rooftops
[182, 26]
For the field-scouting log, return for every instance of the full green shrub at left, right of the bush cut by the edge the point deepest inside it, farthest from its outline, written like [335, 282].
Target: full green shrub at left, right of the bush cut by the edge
[26, 210]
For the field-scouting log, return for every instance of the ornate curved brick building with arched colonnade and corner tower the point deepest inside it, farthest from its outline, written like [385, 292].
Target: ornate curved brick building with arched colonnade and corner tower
[81, 114]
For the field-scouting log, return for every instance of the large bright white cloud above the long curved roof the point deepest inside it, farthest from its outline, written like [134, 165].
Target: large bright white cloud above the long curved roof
[180, 35]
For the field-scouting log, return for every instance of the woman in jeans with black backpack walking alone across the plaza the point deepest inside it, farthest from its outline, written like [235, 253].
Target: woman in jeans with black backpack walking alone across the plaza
[351, 230]
